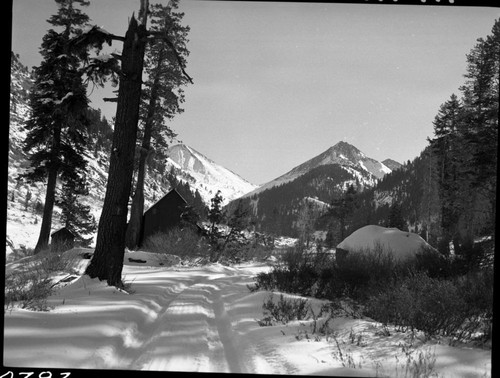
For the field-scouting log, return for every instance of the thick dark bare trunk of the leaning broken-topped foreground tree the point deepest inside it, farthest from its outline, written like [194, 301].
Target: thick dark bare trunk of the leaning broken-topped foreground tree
[107, 262]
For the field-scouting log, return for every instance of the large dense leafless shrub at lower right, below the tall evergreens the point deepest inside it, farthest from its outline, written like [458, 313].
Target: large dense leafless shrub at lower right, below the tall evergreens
[458, 308]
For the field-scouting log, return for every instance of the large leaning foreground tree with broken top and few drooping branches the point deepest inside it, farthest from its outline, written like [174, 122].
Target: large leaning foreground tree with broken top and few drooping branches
[107, 261]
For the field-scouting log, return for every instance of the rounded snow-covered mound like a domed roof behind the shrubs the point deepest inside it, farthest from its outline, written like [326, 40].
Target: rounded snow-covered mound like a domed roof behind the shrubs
[402, 244]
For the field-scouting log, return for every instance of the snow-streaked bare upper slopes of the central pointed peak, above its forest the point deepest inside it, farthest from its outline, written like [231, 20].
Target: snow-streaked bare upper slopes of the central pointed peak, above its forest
[365, 169]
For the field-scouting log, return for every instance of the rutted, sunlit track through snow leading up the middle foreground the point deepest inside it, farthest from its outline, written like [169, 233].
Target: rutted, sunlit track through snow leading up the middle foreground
[194, 332]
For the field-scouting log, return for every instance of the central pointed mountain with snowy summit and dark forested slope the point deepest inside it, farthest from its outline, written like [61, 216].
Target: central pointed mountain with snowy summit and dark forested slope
[276, 205]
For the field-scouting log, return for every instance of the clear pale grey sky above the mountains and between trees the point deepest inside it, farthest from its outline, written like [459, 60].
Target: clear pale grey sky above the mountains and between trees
[277, 83]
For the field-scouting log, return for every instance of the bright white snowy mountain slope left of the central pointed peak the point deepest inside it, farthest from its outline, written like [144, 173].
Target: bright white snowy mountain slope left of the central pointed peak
[206, 176]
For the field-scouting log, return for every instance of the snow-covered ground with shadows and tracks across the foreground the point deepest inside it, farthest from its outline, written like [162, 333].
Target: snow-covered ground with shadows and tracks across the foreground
[204, 319]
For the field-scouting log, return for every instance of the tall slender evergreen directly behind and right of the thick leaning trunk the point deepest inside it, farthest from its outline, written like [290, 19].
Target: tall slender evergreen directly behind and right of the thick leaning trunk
[160, 100]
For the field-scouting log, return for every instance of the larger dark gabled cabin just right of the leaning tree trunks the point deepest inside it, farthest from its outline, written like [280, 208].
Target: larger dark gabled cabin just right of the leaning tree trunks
[163, 215]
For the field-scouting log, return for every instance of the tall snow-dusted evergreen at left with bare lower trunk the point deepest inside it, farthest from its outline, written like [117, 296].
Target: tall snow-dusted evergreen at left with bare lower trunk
[56, 131]
